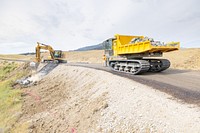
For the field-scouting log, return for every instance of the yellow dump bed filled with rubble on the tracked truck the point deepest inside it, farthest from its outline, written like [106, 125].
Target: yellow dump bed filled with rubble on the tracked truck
[124, 45]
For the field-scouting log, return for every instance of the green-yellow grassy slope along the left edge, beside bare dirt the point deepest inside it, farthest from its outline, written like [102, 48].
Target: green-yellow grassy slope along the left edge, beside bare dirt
[10, 97]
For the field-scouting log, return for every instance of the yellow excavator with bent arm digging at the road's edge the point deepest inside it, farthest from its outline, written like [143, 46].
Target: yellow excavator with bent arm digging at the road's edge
[56, 56]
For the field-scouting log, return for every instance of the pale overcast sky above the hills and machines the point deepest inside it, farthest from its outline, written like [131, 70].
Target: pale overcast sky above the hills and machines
[70, 24]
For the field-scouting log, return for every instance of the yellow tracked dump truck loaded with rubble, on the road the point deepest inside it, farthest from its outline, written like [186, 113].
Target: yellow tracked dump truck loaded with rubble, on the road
[132, 54]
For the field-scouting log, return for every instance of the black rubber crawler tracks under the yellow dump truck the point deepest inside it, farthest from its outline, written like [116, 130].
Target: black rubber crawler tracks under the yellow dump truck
[139, 66]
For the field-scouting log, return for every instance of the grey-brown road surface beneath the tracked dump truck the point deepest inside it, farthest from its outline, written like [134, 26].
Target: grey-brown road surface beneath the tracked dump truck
[182, 84]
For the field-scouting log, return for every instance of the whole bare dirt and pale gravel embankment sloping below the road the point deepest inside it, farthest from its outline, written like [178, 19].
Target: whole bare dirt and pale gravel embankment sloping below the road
[84, 100]
